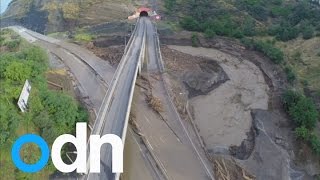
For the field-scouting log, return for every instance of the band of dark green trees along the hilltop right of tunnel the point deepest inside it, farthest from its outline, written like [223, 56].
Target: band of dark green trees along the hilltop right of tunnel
[283, 20]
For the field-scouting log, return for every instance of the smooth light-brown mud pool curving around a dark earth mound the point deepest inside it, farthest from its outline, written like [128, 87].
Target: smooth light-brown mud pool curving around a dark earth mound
[223, 115]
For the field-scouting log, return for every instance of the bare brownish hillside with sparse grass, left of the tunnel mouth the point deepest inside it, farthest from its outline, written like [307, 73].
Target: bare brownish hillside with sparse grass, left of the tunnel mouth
[52, 16]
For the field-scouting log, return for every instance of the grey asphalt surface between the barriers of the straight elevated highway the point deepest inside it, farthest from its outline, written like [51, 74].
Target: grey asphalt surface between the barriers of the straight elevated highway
[116, 114]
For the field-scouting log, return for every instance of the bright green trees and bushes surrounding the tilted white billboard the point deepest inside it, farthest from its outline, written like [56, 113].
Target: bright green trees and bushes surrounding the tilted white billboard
[49, 114]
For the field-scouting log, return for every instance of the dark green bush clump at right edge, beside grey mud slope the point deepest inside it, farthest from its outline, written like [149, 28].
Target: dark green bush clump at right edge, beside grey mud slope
[304, 114]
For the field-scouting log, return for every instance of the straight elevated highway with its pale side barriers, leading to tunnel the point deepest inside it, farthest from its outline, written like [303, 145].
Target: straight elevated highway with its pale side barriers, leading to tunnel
[114, 116]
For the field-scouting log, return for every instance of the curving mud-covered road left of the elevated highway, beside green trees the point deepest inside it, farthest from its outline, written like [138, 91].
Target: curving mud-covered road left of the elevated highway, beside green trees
[92, 73]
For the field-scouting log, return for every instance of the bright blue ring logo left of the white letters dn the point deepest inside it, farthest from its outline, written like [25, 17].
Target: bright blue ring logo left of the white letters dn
[25, 139]
